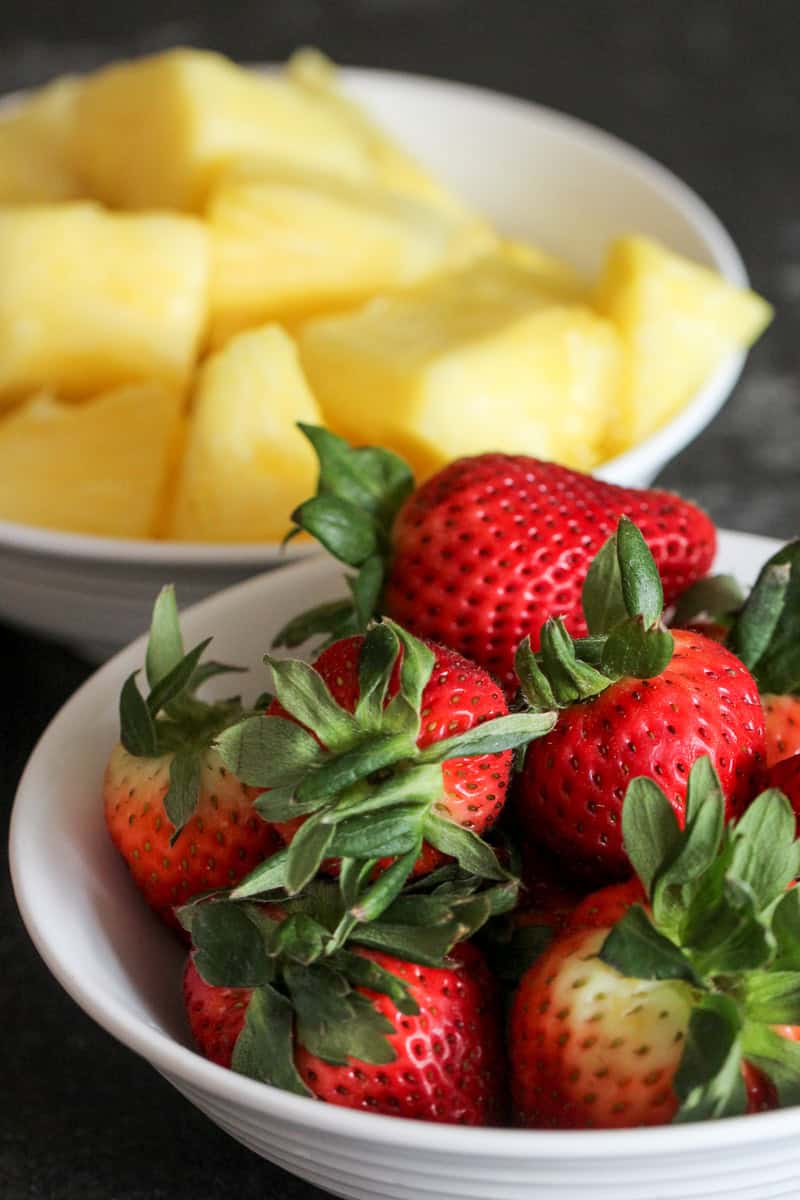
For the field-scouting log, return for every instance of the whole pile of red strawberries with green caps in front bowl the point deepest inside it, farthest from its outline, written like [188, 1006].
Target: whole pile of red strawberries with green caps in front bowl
[521, 845]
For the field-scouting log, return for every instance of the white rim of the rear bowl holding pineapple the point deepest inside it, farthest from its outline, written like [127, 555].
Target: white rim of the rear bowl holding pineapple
[677, 433]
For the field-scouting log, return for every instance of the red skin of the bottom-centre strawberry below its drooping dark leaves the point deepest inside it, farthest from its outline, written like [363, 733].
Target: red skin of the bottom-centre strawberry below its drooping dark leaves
[450, 1064]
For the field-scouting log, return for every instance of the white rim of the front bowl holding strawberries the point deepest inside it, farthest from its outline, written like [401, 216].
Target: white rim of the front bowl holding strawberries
[187, 1066]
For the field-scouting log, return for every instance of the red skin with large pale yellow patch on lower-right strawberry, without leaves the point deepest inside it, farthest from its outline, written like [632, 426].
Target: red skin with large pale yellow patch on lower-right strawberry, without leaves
[591, 1049]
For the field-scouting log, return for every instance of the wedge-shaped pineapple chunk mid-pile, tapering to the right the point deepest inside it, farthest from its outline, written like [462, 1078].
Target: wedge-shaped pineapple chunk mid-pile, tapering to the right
[290, 245]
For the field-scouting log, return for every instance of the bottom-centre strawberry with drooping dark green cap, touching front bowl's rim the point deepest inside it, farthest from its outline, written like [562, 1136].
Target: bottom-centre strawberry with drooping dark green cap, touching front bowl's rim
[405, 1034]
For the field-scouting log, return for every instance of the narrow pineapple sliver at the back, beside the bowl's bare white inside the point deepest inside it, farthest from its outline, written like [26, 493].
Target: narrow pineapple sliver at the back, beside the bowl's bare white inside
[396, 170]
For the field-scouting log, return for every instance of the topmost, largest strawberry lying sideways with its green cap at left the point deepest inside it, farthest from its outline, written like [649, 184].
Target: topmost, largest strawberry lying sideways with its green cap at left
[483, 553]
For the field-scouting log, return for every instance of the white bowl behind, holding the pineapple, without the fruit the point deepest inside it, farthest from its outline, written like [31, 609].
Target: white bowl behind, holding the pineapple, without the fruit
[536, 173]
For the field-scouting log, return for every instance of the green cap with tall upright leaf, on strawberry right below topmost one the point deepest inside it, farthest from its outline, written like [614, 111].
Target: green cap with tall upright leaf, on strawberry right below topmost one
[623, 602]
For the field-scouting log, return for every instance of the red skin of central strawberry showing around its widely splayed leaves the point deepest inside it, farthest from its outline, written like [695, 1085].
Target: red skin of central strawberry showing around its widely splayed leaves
[458, 698]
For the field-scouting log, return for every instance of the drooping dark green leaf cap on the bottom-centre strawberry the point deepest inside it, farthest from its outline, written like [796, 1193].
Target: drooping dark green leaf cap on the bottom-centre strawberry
[305, 980]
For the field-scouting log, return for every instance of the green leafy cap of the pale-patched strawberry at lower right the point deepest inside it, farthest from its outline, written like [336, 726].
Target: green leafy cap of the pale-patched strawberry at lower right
[723, 923]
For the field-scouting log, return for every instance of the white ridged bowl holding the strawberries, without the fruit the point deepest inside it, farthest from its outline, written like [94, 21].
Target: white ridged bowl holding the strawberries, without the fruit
[124, 969]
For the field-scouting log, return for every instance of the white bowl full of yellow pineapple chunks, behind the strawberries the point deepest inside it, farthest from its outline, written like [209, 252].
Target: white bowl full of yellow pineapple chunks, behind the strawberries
[196, 256]
